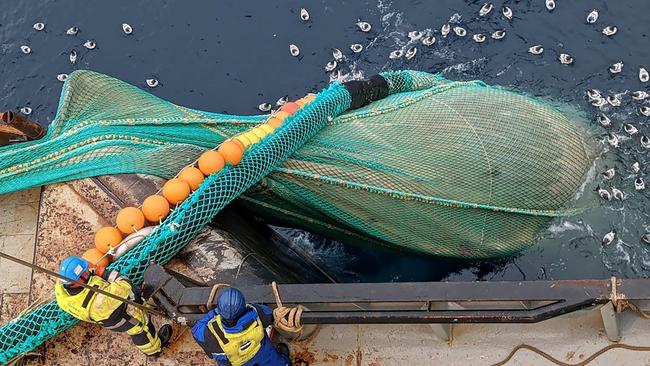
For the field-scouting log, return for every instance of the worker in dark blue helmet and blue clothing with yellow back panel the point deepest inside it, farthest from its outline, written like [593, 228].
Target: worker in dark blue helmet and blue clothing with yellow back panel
[235, 333]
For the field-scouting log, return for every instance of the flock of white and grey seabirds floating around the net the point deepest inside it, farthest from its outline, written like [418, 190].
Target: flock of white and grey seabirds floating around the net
[596, 97]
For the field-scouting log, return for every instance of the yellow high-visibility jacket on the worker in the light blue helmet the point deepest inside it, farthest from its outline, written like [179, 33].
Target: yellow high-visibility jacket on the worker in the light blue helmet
[90, 306]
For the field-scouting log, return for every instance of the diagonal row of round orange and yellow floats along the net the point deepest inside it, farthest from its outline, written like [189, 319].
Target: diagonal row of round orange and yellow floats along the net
[155, 208]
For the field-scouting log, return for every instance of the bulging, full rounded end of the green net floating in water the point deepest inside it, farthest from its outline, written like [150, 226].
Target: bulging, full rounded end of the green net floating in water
[459, 169]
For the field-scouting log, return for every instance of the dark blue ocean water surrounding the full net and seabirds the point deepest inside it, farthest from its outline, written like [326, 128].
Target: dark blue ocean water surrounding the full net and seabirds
[229, 56]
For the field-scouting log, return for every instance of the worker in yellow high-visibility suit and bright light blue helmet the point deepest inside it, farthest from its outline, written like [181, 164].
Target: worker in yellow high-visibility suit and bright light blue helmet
[108, 312]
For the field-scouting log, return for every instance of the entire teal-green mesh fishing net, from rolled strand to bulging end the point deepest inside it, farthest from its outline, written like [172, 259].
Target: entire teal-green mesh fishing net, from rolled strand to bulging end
[458, 169]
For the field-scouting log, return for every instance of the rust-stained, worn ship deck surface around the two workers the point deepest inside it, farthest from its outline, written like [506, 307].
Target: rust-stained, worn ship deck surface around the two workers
[44, 226]
